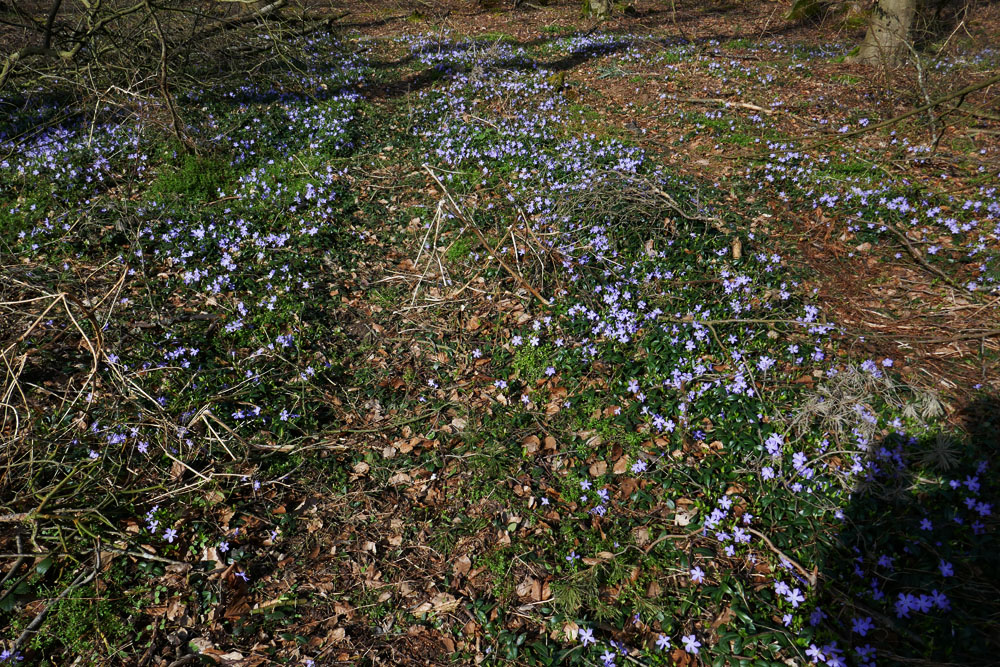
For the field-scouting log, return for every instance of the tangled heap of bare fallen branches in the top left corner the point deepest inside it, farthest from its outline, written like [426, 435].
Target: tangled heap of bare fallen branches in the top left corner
[145, 52]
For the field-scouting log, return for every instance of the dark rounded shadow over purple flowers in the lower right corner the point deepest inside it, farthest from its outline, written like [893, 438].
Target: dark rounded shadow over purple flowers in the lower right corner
[915, 576]
